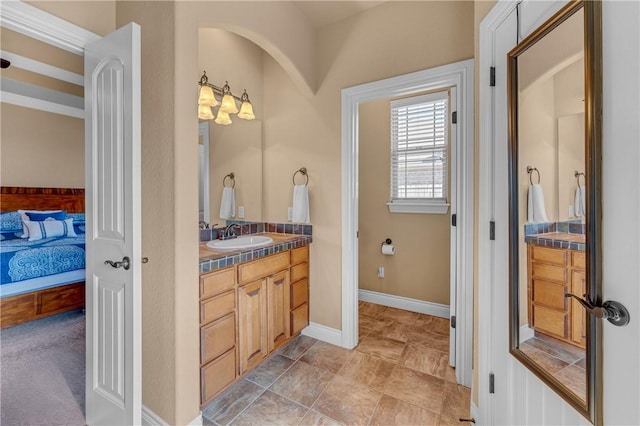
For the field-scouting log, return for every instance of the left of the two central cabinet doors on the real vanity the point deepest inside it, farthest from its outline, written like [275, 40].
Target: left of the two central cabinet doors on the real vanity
[252, 319]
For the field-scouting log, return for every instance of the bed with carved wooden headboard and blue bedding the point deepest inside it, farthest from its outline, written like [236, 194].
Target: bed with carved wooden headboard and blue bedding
[29, 290]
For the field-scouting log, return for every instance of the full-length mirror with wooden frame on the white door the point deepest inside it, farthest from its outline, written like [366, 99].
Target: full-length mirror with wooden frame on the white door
[555, 101]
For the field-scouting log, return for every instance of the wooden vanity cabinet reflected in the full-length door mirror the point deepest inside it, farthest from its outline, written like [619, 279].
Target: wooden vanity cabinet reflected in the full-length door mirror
[552, 273]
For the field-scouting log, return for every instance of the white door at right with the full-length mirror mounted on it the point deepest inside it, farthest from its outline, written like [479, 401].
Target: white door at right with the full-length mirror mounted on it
[520, 397]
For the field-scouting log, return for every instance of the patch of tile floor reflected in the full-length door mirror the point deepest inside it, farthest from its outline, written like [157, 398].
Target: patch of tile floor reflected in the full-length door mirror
[564, 361]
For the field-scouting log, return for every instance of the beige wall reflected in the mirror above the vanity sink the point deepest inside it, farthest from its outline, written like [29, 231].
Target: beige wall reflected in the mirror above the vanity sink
[237, 147]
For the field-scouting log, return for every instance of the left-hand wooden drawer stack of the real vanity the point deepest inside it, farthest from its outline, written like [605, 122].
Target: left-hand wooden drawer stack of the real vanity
[218, 325]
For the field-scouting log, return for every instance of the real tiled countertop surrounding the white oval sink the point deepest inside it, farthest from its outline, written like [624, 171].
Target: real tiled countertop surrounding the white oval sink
[210, 259]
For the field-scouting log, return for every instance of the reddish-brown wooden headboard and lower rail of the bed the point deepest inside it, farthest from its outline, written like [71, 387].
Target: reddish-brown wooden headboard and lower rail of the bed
[41, 303]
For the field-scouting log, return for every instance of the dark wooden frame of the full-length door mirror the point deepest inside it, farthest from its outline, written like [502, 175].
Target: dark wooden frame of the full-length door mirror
[591, 408]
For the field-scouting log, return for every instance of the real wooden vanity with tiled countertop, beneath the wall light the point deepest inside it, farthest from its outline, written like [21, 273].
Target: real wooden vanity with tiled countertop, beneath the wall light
[251, 302]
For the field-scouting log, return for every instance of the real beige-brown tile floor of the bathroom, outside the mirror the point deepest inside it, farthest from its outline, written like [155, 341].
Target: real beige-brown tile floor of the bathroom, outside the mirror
[398, 375]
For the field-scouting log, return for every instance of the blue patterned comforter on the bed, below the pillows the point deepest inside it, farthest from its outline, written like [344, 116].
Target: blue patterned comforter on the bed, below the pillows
[21, 259]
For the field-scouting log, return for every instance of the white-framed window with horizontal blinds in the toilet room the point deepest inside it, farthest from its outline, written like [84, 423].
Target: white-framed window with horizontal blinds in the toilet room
[419, 145]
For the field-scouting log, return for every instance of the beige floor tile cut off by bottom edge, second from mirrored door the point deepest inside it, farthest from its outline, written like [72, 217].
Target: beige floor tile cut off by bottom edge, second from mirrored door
[392, 411]
